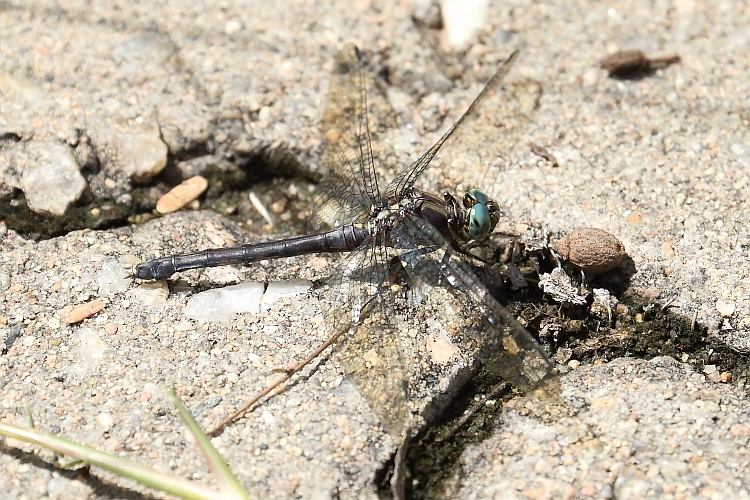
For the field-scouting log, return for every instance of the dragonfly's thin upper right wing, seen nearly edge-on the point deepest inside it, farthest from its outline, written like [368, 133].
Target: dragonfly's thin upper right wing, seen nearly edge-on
[407, 177]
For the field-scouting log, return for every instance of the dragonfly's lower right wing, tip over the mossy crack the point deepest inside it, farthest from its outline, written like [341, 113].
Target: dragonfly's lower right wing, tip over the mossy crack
[489, 332]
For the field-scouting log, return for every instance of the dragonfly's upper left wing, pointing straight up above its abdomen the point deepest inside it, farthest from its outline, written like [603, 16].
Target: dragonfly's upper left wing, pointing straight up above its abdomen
[350, 187]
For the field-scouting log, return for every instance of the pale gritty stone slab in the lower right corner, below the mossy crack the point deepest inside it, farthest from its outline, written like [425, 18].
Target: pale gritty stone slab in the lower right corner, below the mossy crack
[626, 429]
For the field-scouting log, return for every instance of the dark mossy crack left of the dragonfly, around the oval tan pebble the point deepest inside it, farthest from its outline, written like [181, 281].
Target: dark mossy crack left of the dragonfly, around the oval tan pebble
[231, 174]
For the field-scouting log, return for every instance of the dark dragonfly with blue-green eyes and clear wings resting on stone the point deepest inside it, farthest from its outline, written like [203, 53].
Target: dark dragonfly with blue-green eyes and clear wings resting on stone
[428, 234]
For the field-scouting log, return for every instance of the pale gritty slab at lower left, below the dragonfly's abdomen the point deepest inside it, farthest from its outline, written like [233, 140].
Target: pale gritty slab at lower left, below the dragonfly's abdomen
[102, 382]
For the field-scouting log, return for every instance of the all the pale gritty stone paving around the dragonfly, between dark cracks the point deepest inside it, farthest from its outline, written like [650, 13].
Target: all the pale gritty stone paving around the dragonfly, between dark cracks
[662, 162]
